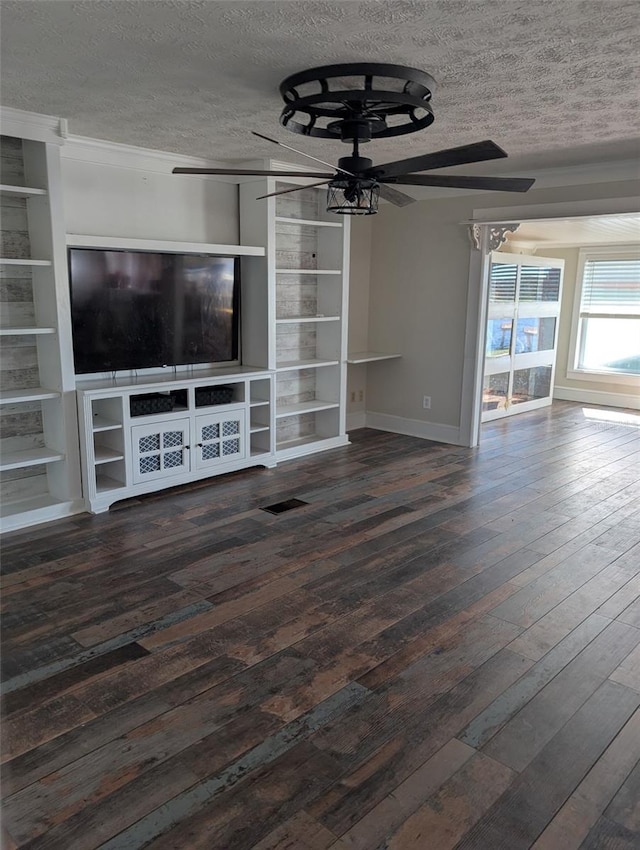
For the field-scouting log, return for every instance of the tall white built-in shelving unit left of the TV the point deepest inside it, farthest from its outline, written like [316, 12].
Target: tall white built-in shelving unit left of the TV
[39, 458]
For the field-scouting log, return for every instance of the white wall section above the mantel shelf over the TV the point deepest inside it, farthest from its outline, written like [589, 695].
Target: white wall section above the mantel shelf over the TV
[140, 198]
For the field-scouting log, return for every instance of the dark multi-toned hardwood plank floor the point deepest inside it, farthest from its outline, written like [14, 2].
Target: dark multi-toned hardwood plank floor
[441, 650]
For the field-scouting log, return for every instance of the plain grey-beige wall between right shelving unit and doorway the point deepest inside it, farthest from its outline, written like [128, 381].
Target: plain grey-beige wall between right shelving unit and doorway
[418, 296]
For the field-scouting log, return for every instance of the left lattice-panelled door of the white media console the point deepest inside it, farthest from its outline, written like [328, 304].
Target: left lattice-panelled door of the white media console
[160, 449]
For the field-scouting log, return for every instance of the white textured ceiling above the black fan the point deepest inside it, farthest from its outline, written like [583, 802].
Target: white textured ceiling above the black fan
[554, 82]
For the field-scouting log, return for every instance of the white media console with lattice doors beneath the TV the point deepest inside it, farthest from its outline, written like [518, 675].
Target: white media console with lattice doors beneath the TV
[207, 422]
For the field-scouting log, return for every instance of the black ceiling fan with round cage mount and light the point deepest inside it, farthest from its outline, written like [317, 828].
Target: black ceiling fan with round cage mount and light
[358, 102]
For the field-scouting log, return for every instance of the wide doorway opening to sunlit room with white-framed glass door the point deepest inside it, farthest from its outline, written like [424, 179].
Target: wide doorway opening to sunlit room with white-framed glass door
[533, 312]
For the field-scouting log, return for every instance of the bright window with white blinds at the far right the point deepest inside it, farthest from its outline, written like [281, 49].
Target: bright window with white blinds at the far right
[607, 324]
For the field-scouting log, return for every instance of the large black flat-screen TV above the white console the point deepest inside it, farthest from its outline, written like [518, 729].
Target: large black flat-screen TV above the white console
[138, 310]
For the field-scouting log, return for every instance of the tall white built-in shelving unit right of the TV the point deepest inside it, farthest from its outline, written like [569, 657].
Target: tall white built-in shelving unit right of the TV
[305, 302]
